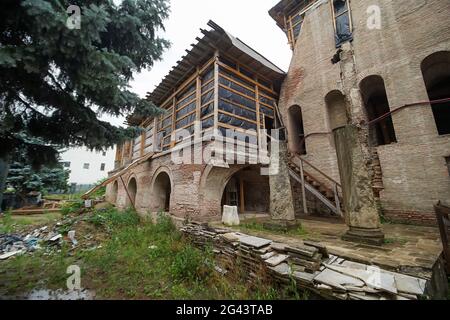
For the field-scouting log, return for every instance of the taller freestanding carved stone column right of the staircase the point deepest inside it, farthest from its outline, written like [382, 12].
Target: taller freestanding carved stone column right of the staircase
[361, 212]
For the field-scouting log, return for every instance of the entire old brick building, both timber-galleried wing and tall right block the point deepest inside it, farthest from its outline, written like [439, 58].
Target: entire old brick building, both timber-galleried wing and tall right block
[373, 64]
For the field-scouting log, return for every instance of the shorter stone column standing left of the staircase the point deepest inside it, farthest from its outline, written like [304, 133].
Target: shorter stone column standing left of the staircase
[282, 211]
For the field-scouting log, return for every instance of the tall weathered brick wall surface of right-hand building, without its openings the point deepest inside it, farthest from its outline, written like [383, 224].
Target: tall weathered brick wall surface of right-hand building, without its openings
[414, 171]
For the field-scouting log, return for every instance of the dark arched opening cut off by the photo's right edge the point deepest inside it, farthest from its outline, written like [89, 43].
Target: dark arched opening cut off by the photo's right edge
[436, 74]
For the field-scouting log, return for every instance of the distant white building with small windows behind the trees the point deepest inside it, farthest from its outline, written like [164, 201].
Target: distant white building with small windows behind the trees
[79, 156]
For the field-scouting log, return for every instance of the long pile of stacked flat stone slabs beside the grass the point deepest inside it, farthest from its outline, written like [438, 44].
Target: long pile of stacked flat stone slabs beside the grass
[308, 263]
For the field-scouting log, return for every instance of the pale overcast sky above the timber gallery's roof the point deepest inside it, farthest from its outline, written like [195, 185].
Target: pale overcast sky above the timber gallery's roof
[247, 20]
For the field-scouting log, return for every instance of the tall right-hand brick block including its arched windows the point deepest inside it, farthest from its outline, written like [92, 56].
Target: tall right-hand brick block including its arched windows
[378, 66]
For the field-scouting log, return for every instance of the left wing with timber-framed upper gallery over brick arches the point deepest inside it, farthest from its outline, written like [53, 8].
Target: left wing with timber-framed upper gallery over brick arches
[222, 86]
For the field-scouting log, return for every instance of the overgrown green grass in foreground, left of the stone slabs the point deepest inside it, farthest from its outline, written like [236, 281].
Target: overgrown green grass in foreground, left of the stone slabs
[137, 261]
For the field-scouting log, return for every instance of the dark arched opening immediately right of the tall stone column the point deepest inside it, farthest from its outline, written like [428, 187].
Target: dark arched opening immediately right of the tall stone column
[373, 92]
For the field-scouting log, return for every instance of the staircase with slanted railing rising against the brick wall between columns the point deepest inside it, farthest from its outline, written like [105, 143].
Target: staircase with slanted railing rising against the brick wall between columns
[323, 187]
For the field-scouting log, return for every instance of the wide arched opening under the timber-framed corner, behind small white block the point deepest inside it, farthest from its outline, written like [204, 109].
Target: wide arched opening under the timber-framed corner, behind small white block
[248, 190]
